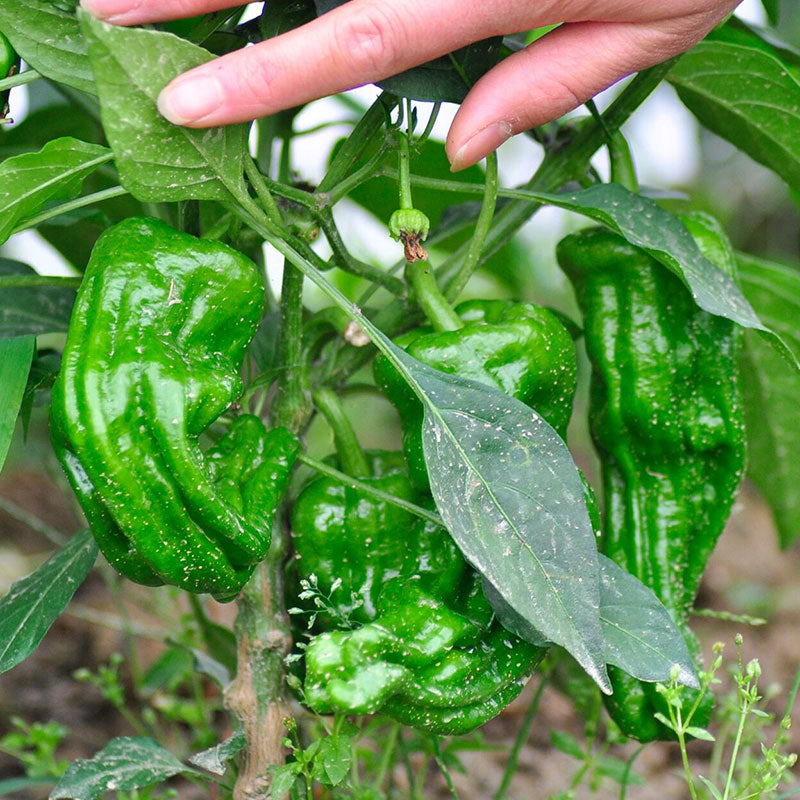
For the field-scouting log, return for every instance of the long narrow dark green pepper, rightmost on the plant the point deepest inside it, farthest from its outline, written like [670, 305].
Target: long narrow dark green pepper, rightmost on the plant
[667, 422]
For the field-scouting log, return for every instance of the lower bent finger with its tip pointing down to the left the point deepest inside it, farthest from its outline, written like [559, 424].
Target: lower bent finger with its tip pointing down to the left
[555, 75]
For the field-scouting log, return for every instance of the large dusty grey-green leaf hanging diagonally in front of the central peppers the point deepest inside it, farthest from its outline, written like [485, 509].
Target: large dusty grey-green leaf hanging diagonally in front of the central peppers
[512, 498]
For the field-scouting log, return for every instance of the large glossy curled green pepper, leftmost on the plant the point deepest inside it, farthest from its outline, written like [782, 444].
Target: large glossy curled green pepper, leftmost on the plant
[156, 341]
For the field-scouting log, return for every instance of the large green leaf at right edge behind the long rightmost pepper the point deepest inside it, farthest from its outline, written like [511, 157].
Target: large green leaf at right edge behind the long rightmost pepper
[771, 392]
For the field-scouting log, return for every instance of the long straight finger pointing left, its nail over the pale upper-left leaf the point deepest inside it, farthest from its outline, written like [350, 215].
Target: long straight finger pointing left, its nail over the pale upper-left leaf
[359, 42]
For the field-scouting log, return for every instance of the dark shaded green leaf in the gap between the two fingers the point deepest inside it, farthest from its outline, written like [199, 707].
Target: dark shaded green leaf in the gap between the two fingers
[448, 78]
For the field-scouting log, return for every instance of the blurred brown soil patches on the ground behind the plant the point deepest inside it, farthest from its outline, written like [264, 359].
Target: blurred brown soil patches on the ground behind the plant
[747, 574]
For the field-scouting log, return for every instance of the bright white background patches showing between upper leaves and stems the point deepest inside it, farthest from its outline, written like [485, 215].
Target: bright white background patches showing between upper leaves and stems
[663, 136]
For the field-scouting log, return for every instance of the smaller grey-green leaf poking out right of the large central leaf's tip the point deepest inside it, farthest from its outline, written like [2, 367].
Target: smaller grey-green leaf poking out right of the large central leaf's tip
[638, 633]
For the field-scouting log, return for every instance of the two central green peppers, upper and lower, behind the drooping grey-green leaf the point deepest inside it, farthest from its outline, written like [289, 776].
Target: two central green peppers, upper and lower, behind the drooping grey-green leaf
[417, 639]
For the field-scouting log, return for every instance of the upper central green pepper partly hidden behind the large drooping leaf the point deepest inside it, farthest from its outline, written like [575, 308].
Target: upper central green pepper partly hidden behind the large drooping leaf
[519, 348]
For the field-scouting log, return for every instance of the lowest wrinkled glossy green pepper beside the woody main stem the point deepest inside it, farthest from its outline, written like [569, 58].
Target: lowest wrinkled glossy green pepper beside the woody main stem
[420, 643]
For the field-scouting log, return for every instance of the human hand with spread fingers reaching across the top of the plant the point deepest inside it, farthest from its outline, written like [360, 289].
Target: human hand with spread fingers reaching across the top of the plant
[367, 40]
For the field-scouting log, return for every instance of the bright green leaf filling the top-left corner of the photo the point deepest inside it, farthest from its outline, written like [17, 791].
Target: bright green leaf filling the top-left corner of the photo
[49, 38]
